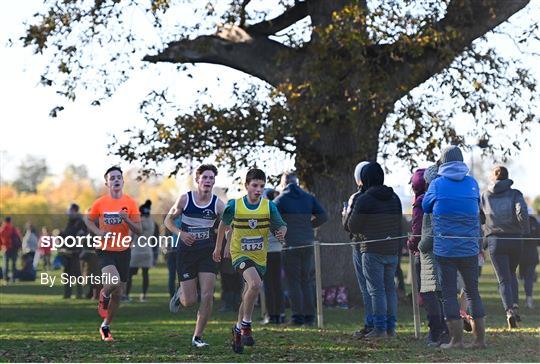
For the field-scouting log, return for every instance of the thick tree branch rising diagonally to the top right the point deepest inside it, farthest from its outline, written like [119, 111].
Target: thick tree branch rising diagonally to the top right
[471, 19]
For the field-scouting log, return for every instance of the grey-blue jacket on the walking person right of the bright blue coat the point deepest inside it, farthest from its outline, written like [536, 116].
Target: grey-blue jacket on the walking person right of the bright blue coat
[503, 210]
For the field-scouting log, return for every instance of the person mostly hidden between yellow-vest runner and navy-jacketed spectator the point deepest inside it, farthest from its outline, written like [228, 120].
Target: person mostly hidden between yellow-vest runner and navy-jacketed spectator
[273, 291]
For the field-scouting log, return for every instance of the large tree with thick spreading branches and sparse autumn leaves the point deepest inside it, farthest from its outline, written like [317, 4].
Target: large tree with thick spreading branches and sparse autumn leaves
[342, 78]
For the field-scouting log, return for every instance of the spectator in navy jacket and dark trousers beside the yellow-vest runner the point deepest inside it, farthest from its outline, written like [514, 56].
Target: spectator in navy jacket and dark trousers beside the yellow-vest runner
[302, 213]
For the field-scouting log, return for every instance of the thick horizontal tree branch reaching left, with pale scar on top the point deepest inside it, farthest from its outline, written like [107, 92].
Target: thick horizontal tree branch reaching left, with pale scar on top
[233, 47]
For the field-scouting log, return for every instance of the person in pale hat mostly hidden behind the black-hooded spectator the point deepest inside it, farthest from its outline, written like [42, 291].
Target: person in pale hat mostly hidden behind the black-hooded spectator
[357, 254]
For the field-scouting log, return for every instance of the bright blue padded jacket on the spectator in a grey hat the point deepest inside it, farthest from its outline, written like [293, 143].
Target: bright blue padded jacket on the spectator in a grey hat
[454, 199]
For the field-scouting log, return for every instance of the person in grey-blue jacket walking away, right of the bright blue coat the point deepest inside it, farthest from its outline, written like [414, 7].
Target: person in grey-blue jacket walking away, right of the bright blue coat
[504, 215]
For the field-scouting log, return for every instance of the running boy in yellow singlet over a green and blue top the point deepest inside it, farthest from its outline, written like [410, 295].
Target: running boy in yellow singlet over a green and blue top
[252, 218]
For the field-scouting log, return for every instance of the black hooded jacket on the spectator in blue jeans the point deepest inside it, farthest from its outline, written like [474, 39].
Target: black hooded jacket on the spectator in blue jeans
[376, 214]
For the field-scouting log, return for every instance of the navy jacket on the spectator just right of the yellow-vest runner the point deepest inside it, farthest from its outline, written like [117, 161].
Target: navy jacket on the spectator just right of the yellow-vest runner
[297, 208]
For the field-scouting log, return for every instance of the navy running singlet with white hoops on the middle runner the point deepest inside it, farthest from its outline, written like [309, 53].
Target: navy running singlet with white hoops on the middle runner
[199, 221]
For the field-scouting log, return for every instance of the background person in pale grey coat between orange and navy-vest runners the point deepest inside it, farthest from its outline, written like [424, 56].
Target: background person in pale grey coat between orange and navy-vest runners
[142, 255]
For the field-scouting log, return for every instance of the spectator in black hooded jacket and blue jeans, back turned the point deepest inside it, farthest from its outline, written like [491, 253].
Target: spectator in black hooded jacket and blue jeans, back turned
[376, 214]
